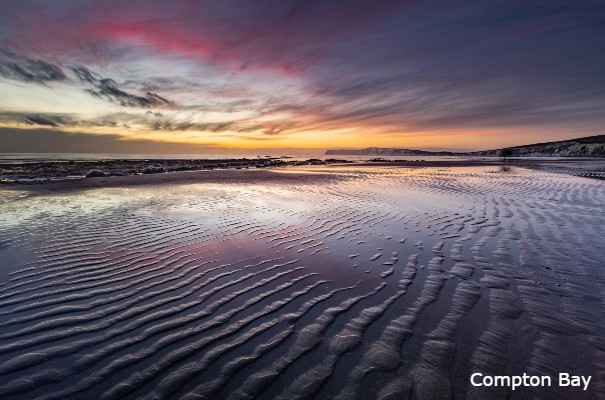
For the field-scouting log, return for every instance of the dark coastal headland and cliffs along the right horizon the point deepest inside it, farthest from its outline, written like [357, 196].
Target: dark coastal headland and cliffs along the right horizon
[591, 146]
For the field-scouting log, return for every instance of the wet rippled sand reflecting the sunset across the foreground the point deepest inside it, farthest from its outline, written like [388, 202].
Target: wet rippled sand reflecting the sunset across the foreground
[350, 282]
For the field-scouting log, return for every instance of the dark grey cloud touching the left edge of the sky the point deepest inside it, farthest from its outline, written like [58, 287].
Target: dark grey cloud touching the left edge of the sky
[17, 67]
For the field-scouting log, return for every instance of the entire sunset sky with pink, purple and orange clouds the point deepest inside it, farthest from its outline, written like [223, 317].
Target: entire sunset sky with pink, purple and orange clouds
[185, 76]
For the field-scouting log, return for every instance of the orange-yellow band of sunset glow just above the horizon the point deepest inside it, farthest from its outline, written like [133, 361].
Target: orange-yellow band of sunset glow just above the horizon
[328, 139]
